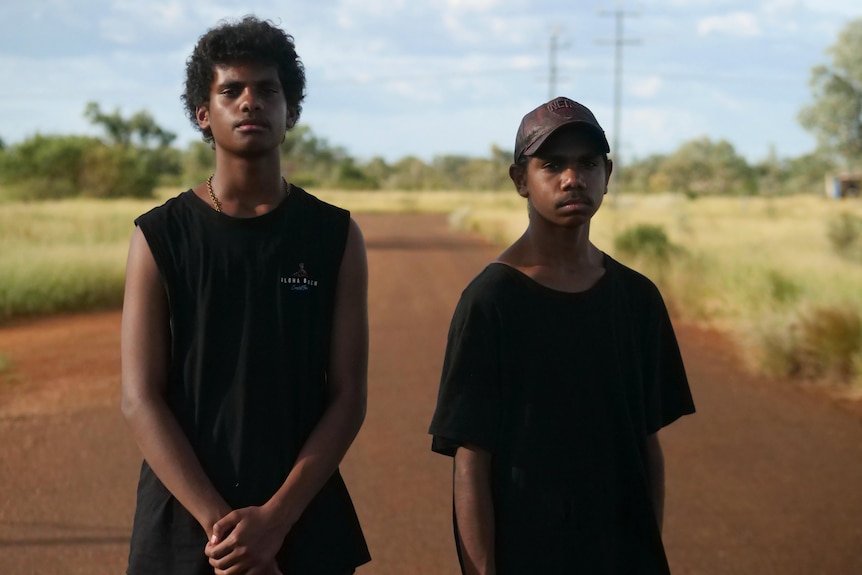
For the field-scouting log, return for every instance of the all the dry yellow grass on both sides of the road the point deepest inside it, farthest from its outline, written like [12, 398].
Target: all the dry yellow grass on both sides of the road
[752, 267]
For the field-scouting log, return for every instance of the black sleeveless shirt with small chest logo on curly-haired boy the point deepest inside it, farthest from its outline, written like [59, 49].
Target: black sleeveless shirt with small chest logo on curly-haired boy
[251, 303]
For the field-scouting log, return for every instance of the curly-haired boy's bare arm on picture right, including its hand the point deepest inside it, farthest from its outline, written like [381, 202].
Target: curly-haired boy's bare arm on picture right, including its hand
[257, 533]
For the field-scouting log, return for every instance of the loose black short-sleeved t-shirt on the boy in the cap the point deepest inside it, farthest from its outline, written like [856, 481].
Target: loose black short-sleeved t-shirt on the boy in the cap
[563, 390]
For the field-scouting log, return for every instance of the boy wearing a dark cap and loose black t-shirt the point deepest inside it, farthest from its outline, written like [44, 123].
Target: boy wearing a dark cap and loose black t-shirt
[561, 368]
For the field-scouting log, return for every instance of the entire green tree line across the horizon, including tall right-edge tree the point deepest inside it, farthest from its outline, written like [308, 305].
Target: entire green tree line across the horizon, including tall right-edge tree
[134, 155]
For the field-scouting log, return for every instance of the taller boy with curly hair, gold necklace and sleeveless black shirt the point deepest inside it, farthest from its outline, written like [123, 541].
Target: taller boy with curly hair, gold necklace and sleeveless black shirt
[245, 339]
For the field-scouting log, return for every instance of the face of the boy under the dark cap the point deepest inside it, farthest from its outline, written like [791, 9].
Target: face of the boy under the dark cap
[566, 179]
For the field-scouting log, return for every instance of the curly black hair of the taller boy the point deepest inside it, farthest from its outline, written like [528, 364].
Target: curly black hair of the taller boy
[246, 41]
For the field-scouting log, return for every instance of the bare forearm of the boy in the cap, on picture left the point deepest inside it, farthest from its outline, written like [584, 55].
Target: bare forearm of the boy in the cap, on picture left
[474, 509]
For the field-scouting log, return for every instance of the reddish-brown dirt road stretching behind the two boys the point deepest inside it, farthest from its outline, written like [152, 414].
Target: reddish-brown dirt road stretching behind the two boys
[762, 480]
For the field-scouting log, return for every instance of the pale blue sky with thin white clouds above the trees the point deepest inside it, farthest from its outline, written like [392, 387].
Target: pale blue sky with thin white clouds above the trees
[394, 78]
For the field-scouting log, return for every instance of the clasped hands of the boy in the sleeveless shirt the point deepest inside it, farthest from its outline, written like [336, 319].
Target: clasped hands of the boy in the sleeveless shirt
[246, 541]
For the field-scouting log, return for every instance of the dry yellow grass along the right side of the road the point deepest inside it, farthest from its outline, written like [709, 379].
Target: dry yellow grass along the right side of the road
[752, 267]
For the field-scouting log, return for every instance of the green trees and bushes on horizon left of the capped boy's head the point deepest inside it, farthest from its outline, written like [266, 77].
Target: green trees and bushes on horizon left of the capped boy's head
[133, 156]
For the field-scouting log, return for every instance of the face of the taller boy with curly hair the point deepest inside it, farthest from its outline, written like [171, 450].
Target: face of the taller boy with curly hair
[247, 111]
